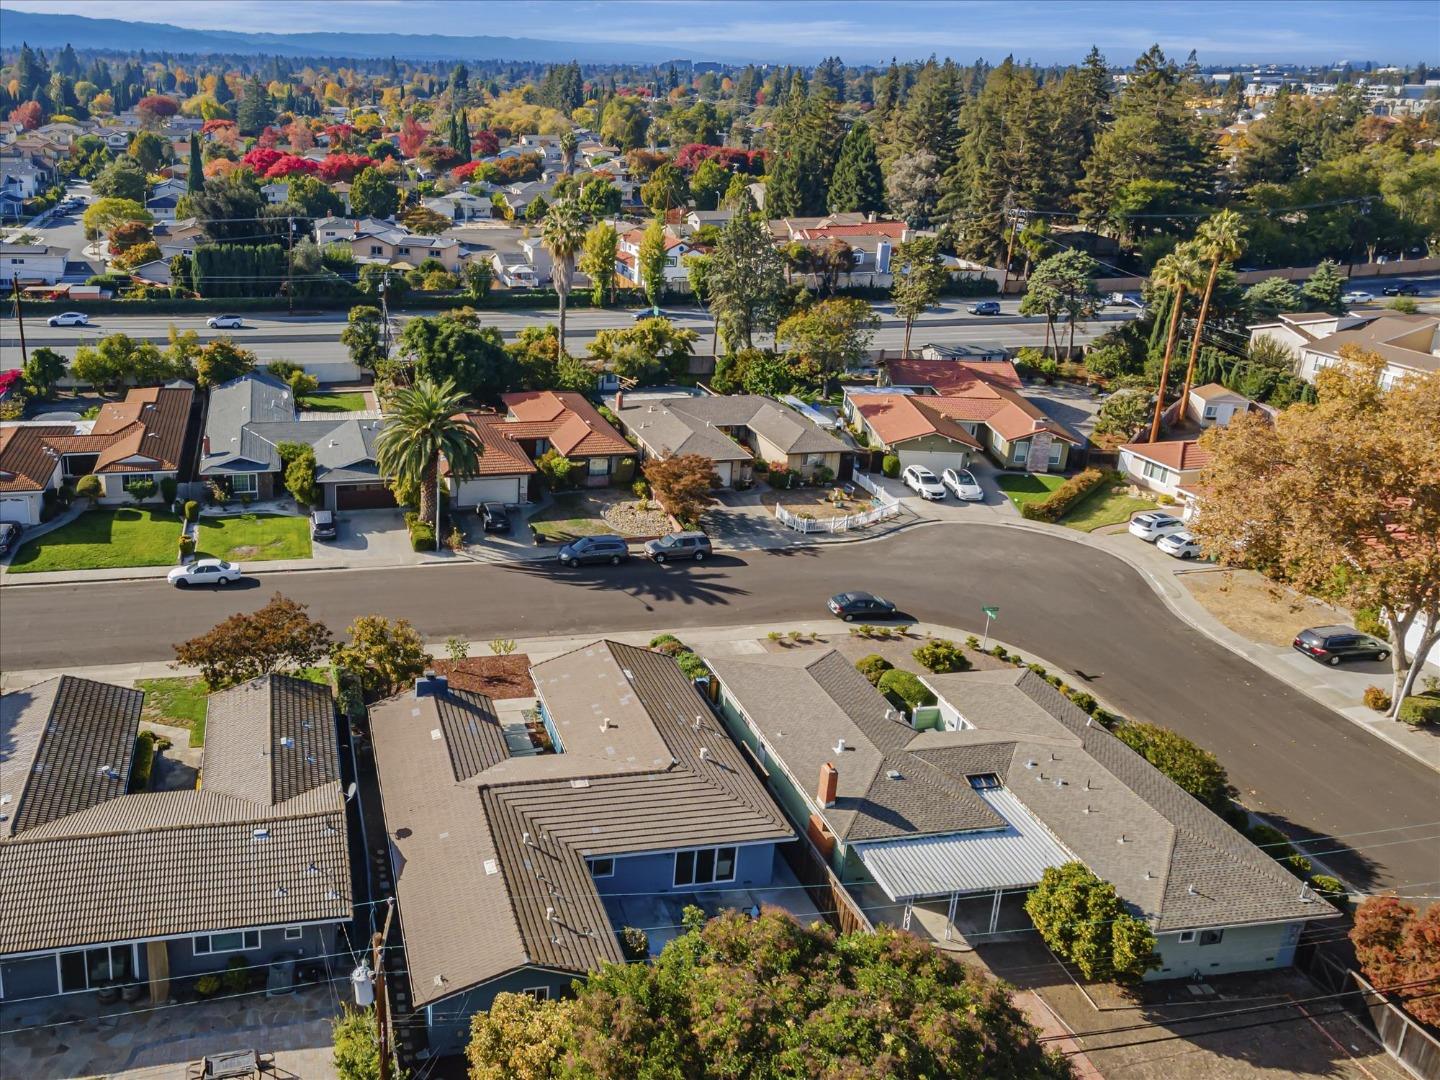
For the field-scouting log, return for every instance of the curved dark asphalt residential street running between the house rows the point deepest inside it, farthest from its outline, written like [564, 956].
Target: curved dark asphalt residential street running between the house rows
[1310, 770]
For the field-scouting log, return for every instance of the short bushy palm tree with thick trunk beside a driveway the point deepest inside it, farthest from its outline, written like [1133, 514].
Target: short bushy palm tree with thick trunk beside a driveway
[424, 424]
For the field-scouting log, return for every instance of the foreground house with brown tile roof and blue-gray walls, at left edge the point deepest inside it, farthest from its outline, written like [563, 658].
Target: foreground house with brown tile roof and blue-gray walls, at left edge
[113, 888]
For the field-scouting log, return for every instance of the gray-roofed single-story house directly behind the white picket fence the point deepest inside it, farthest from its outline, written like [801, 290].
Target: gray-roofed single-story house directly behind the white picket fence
[735, 433]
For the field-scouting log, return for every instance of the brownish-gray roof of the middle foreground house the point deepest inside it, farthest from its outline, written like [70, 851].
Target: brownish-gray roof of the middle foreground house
[482, 859]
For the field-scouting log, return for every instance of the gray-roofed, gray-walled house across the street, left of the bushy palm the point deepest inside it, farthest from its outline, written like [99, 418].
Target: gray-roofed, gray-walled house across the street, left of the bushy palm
[253, 415]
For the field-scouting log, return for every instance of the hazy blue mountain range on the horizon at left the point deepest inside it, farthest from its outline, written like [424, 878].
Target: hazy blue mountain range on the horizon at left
[55, 31]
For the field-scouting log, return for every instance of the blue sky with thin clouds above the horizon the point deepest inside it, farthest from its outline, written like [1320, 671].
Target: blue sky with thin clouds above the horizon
[859, 31]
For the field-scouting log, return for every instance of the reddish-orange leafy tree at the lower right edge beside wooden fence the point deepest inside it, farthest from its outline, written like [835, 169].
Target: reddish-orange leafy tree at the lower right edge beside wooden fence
[1395, 947]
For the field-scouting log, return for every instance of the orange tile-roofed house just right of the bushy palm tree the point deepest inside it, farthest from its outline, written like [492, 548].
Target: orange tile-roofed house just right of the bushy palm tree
[534, 424]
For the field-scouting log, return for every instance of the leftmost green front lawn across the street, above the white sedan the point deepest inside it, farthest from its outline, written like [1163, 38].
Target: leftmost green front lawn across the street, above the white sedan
[103, 539]
